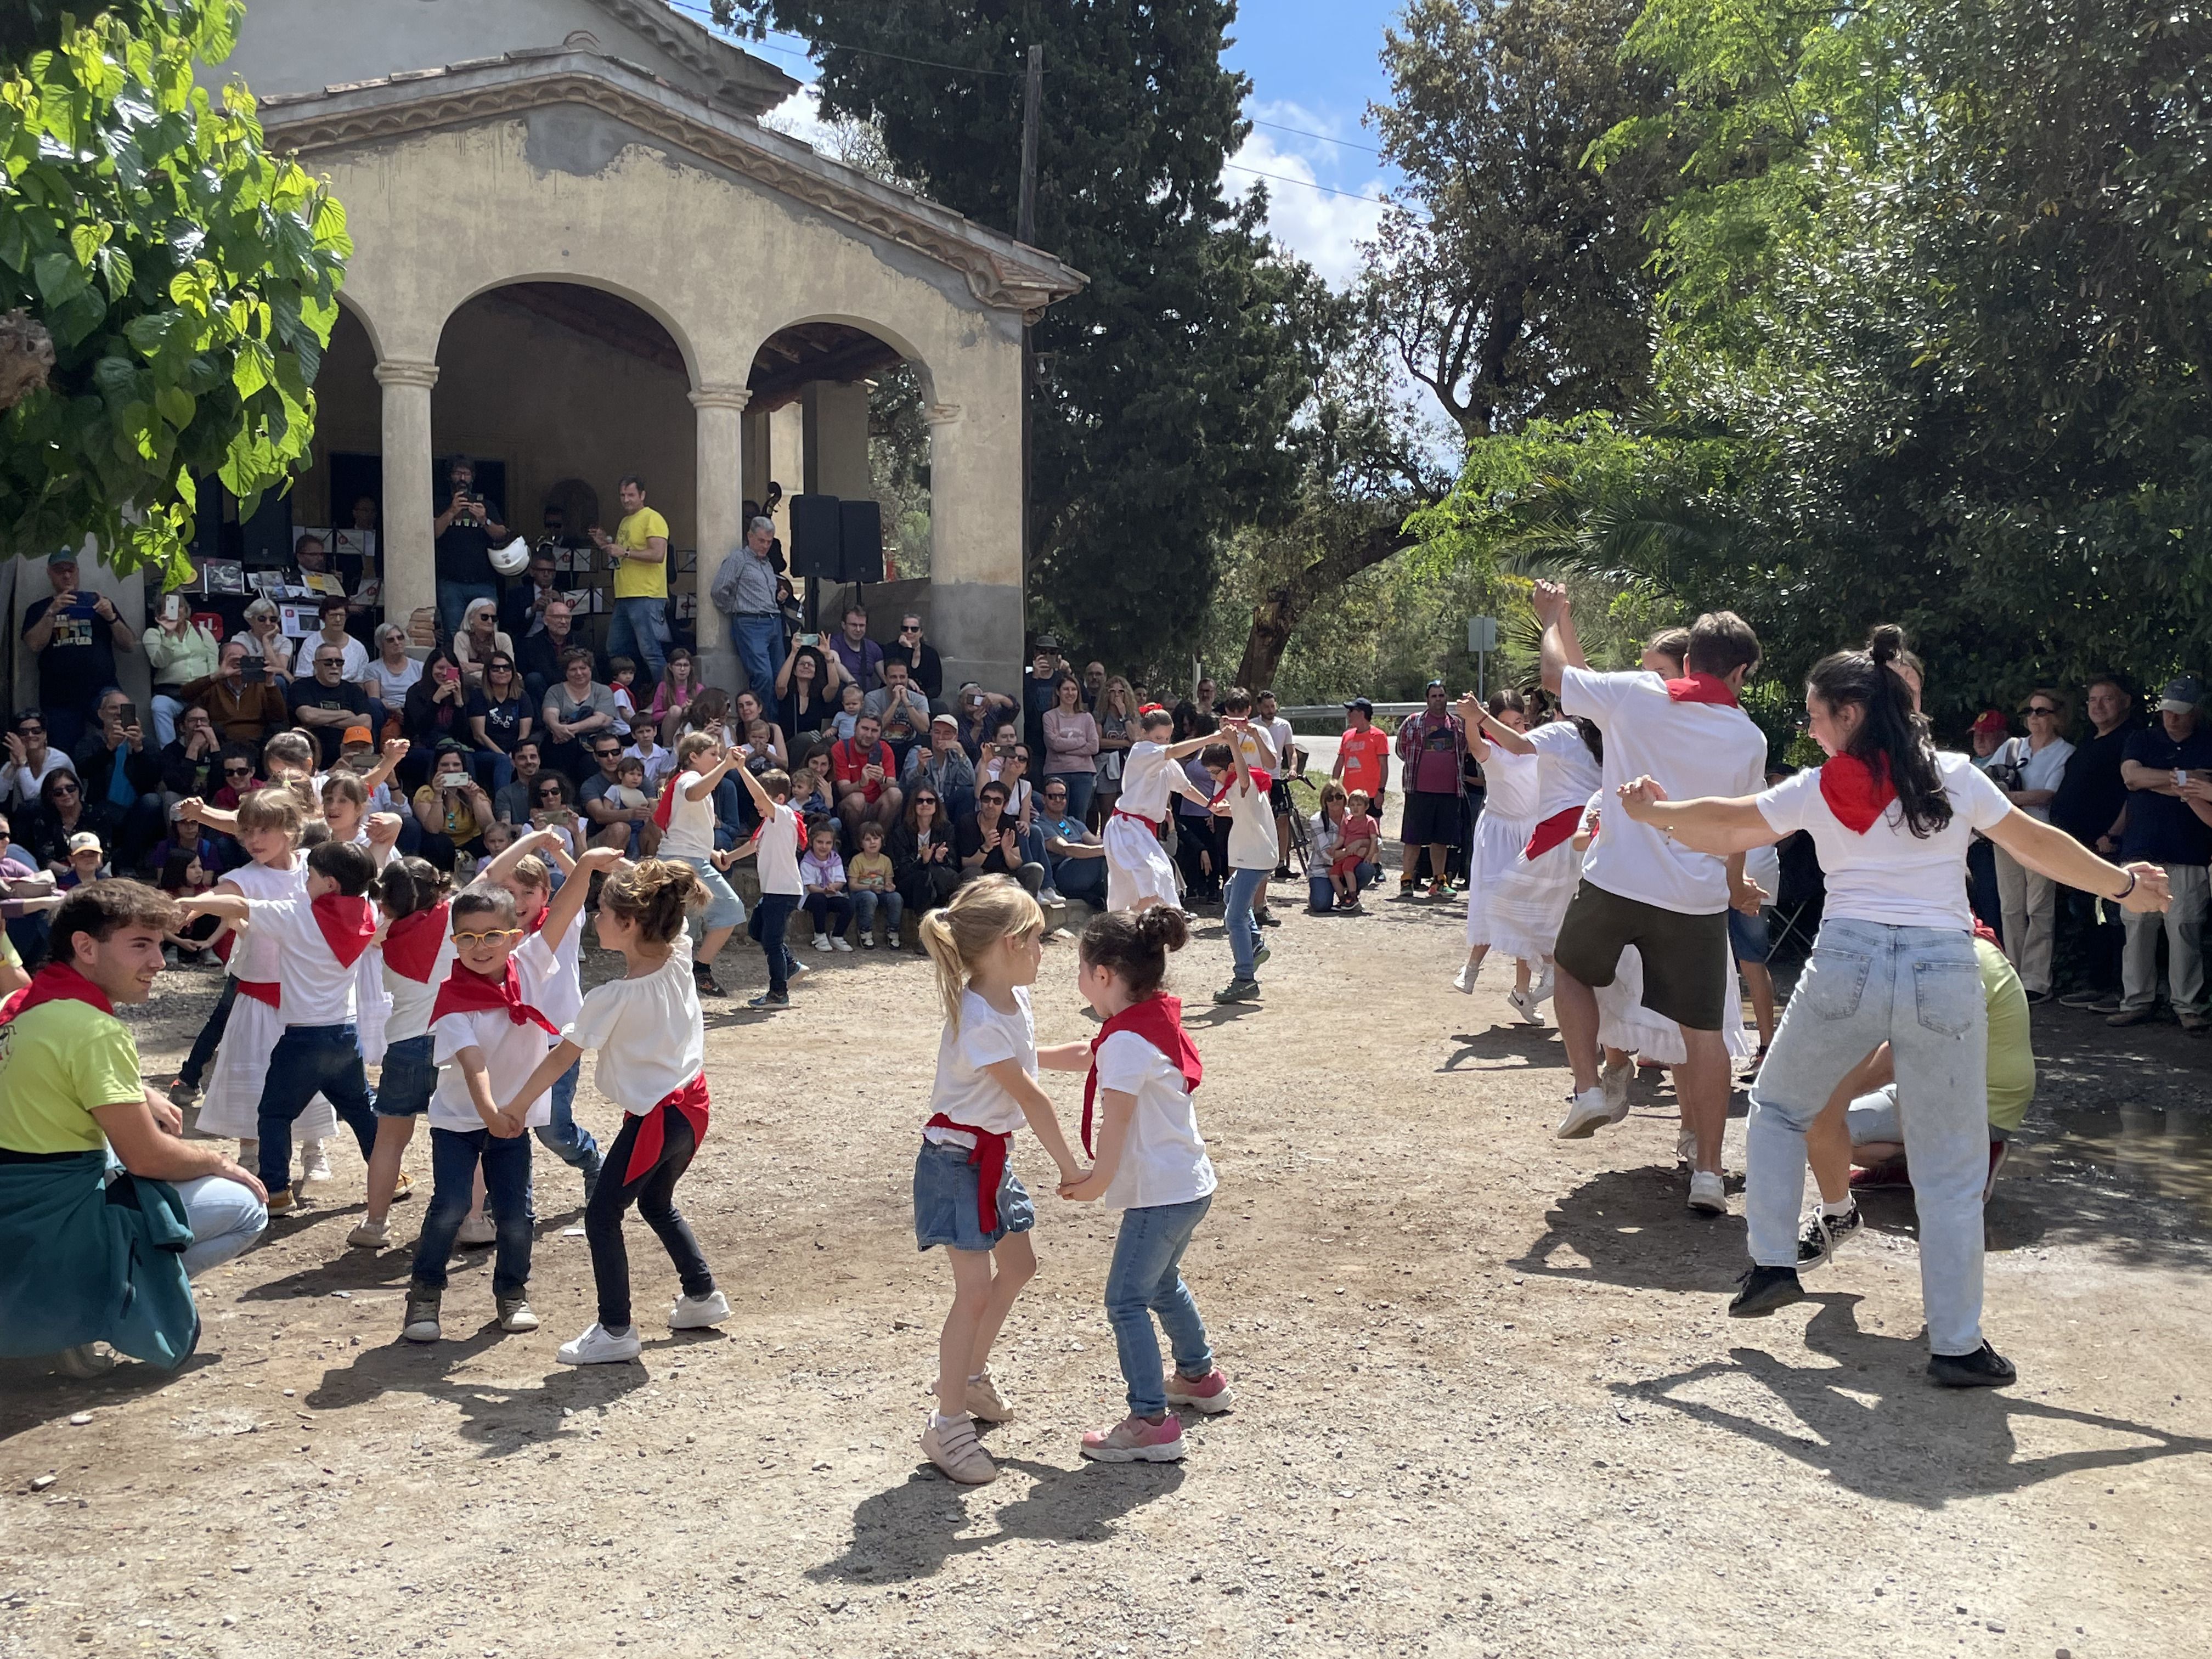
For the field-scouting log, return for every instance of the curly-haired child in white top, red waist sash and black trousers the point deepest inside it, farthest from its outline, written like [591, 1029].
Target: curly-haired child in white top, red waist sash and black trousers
[651, 1045]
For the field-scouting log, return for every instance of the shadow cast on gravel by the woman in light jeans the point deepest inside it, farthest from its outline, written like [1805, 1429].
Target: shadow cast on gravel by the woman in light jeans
[1875, 1423]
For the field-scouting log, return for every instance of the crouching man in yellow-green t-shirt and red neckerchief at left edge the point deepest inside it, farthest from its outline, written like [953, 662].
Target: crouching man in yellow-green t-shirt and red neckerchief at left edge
[83, 1258]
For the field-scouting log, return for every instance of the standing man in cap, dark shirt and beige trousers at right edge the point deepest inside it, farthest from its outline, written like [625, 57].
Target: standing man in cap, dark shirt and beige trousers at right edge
[2169, 773]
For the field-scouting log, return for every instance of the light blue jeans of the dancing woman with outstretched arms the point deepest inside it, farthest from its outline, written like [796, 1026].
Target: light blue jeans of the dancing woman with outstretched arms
[1921, 992]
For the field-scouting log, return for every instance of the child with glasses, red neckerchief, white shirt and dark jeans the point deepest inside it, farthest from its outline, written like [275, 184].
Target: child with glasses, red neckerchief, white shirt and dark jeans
[486, 1041]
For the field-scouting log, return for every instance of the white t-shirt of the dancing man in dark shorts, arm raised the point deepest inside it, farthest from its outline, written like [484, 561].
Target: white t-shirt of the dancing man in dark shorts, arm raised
[1693, 751]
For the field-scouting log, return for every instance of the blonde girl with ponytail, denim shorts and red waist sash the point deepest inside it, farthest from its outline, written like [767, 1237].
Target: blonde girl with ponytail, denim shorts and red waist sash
[988, 946]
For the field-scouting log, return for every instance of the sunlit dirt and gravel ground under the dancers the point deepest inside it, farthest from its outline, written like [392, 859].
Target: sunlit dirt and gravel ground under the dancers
[1490, 1399]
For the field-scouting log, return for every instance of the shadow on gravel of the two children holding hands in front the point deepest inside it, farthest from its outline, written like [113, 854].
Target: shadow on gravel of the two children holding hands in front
[912, 1530]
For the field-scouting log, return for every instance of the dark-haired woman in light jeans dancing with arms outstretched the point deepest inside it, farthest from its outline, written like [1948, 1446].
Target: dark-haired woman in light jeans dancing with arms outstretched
[1895, 963]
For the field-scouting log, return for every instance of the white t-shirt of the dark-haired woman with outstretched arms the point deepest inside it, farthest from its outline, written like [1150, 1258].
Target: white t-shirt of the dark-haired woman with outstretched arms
[1890, 875]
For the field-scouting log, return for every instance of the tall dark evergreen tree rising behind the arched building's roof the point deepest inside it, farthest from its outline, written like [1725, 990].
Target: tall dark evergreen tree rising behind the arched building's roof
[1167, 388]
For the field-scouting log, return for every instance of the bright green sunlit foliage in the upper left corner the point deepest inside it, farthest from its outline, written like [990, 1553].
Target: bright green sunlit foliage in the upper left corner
[182, 273]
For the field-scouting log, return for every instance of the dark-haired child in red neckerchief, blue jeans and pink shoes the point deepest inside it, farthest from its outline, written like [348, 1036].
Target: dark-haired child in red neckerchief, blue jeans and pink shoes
[1151, 1165]
